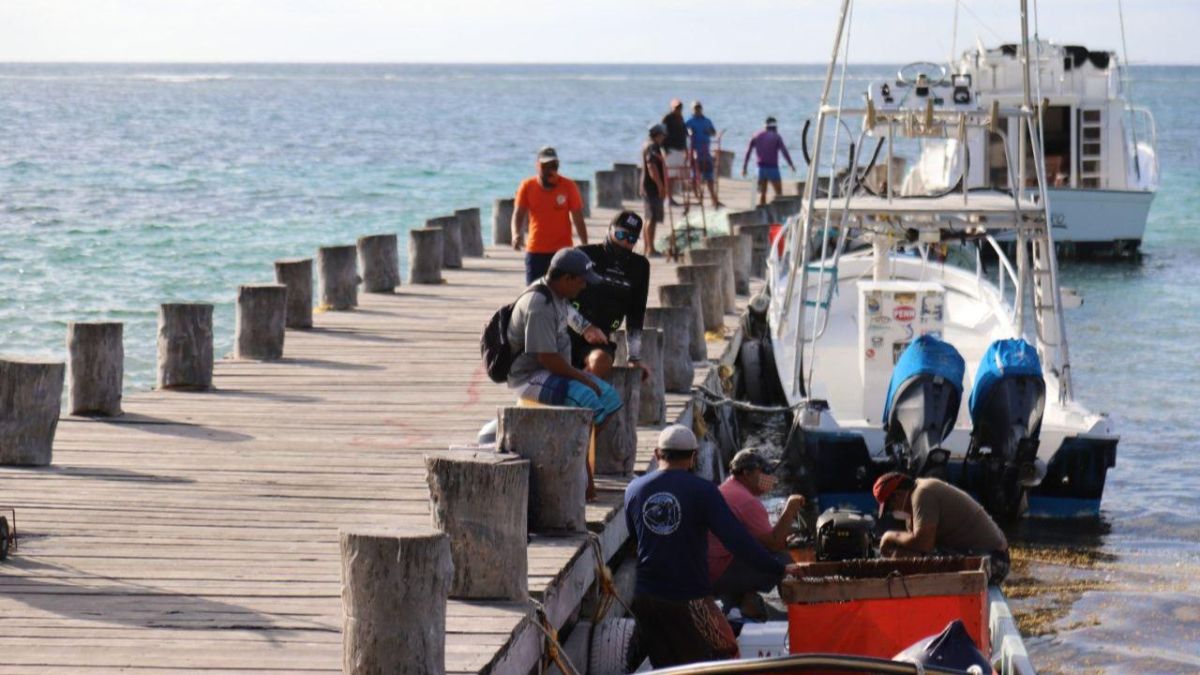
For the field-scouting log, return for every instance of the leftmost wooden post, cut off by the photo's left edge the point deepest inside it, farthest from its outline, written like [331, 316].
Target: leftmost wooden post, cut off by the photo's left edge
[31, 403]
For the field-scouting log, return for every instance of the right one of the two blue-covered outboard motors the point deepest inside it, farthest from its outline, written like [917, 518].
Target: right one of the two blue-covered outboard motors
[1006, 407]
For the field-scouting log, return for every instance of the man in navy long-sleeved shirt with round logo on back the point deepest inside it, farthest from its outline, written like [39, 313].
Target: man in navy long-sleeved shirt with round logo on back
[670, 513]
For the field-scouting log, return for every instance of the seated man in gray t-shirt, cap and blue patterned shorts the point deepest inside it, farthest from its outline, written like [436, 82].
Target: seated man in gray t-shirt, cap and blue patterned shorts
[539, 333]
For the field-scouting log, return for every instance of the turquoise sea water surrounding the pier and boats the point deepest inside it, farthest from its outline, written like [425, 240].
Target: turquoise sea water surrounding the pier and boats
[124, 187]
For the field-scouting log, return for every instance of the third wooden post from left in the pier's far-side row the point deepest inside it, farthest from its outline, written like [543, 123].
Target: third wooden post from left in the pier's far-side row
[185, 347]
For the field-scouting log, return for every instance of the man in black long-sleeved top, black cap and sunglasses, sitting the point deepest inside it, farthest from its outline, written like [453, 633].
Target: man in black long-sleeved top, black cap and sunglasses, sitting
[619, 298]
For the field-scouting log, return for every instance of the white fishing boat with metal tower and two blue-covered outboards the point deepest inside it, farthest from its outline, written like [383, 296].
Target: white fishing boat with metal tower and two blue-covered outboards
[898, 345]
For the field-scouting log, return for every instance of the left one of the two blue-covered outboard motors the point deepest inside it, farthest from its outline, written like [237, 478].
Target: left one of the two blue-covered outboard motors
[922, 405]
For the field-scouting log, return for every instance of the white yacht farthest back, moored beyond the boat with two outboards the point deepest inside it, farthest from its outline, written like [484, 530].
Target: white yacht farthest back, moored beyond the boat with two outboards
[1099, 150]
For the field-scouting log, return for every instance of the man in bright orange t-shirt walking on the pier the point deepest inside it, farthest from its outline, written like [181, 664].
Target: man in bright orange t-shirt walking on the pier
[549, 205]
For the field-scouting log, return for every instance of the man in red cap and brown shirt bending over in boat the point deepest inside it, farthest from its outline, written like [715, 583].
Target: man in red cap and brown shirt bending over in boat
[940, 519]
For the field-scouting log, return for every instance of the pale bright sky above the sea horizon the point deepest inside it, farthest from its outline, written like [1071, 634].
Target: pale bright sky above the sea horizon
[1160, 32]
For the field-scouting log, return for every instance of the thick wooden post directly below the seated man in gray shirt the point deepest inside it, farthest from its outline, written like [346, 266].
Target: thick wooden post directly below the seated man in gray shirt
[555, 440]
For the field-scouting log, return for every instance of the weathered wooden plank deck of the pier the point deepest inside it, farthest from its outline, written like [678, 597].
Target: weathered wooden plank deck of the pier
[200, 531]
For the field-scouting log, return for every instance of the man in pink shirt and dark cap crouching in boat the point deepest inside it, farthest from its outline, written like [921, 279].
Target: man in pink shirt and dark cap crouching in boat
[752, 477]
